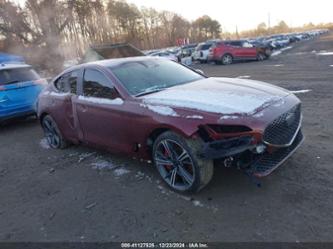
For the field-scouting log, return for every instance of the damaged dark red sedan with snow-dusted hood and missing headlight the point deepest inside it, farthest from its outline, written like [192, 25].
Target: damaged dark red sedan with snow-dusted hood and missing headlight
[154, 108]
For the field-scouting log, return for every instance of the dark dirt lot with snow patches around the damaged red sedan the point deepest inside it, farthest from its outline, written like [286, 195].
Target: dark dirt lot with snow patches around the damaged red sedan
[80, 194]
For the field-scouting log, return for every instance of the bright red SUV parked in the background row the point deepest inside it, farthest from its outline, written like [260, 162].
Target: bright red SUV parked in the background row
[225, 52]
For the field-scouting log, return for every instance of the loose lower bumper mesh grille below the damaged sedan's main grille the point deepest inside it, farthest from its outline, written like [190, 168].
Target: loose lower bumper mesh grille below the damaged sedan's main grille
[269, 161]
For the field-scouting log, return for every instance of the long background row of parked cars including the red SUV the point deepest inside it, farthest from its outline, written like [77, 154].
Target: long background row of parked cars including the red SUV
[227, 51]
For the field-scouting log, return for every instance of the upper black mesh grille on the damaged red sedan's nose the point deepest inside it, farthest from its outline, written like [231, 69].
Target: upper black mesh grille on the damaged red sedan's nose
[282, 130]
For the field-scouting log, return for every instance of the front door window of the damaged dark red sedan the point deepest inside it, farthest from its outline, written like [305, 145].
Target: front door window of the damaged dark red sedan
[95, 84]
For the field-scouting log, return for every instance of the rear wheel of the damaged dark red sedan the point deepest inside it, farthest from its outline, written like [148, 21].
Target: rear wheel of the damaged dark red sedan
[52, 133]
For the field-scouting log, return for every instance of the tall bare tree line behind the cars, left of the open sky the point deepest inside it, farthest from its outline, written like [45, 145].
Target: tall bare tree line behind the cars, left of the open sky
[50, 29]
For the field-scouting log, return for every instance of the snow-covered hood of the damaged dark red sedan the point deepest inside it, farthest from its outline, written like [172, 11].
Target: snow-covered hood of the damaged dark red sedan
[226, 96]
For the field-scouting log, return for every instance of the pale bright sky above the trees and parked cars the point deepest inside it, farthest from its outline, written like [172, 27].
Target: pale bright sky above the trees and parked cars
[246, 14]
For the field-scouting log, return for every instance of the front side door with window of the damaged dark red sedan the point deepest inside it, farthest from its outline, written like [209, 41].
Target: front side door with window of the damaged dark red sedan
[99, 110]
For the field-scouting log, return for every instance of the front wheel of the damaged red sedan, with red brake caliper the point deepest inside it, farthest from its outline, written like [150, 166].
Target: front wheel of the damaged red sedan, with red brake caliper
[198, 172]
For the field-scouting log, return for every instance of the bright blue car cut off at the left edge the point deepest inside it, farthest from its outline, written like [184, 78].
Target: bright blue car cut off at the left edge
[20, 86]
